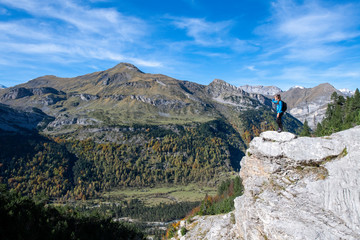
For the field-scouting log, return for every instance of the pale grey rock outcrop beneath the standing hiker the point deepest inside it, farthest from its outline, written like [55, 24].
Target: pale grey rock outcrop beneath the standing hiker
[295, 188]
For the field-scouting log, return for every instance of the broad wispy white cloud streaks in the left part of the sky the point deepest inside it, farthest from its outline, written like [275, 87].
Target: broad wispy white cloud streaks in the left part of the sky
[67, 28]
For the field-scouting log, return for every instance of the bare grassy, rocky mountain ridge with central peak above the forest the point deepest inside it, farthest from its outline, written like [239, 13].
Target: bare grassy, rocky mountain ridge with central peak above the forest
[124, 95]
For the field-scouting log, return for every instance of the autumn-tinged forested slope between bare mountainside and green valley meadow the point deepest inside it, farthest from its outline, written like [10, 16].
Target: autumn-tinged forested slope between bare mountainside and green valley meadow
[81, 169]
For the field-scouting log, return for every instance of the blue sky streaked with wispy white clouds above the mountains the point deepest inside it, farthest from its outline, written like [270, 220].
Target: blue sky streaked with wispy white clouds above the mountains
[256, 42]
